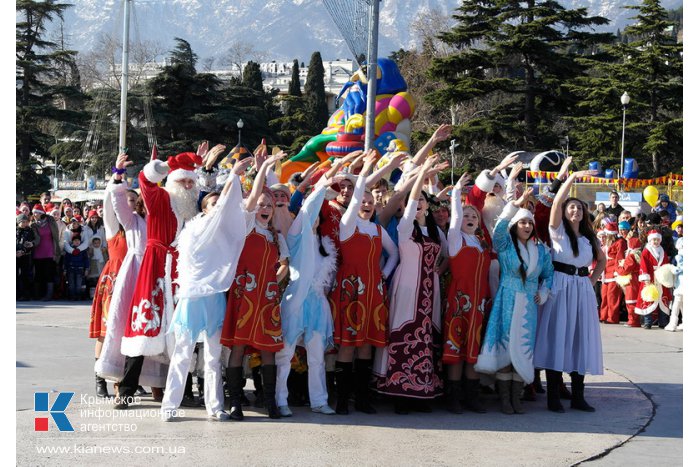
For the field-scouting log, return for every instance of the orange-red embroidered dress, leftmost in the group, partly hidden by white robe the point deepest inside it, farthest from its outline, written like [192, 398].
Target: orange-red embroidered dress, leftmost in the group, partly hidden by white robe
[116, 247]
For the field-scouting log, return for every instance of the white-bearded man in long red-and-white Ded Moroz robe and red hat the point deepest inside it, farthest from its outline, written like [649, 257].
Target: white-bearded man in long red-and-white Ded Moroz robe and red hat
[152, 304]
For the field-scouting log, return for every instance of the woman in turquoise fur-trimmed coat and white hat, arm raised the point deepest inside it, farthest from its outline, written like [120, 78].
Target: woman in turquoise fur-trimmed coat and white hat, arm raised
[526, 277]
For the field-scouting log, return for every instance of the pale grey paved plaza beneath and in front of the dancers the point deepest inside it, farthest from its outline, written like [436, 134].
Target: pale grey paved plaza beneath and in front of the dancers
[639, 420]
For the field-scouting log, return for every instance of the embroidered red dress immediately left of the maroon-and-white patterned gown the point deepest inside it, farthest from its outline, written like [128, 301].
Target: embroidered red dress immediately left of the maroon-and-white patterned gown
[358, 299]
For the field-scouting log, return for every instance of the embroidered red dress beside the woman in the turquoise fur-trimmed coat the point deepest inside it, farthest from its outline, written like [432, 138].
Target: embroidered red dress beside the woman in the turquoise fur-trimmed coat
[467, 302]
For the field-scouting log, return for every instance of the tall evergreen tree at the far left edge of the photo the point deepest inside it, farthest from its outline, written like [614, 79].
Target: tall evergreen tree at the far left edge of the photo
[47, 109]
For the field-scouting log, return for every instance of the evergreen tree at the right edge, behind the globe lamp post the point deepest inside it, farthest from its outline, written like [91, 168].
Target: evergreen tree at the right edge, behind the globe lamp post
[649, 68]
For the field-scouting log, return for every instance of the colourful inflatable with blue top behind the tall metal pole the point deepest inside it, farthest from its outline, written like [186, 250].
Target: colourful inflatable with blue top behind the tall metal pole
[345, 131]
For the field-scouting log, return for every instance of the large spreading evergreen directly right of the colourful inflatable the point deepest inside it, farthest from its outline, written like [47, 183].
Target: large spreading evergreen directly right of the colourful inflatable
[513, 57]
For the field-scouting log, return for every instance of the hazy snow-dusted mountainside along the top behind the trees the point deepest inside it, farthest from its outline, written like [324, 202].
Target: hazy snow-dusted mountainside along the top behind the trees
[283, 29]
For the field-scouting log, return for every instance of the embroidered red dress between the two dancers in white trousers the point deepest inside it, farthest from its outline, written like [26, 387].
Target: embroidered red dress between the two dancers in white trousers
[253, 309]
